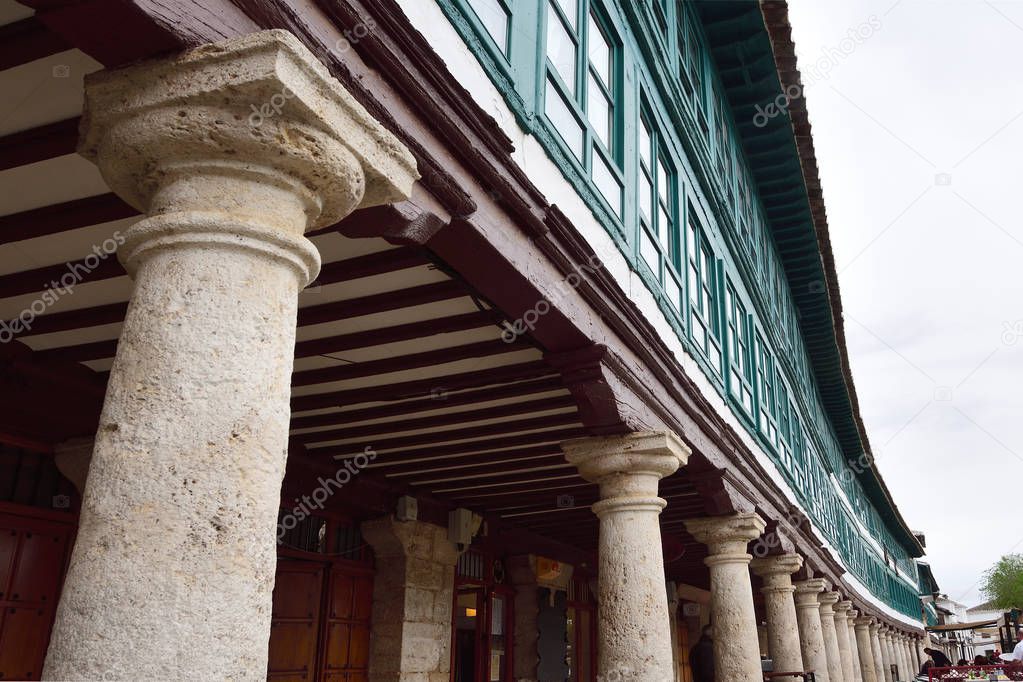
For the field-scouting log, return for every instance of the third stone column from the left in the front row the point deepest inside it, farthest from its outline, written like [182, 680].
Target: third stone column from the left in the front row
[737, 646]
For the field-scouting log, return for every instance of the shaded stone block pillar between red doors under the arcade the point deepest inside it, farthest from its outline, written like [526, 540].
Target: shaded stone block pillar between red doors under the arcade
[413, 598]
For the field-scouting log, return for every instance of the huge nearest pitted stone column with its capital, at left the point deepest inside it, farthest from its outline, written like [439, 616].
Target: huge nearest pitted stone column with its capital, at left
[173, 569]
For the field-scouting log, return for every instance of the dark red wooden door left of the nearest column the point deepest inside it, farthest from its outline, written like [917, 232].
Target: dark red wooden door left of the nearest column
[33, 556]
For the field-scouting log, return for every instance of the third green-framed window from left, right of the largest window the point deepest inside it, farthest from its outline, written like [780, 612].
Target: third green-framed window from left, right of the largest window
[657, 191]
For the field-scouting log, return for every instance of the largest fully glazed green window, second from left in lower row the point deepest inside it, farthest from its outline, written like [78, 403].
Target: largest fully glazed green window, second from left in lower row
[582, 93]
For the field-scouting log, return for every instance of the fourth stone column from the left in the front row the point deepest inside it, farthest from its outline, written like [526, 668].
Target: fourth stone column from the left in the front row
[783, 632]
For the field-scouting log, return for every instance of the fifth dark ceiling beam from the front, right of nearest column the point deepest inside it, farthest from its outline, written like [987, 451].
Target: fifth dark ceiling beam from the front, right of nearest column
[421, 388]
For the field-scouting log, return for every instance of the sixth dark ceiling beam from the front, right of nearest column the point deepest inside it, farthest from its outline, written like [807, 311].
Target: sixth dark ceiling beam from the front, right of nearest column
[404, 410]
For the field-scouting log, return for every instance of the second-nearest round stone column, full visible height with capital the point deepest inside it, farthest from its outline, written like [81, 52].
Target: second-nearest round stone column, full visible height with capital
[634, 633]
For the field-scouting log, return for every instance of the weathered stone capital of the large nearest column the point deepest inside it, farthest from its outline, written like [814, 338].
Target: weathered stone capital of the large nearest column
[248, 143]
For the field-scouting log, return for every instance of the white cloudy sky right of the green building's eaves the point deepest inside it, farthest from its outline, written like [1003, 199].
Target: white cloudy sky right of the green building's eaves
[930, 268]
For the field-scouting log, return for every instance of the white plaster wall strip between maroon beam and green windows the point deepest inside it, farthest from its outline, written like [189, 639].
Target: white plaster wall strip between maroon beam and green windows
[427, 17]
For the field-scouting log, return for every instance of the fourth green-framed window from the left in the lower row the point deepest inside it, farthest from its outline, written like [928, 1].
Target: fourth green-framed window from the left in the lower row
[705, 326]
